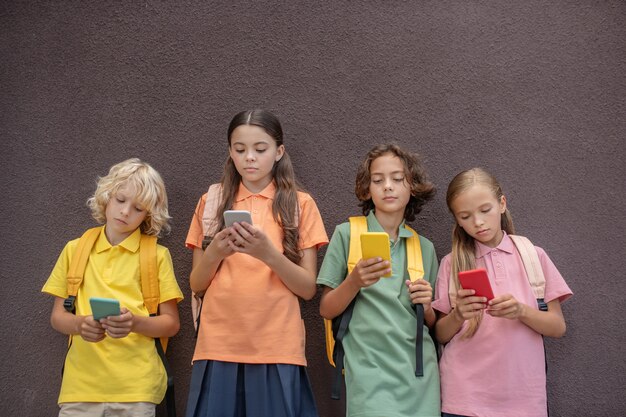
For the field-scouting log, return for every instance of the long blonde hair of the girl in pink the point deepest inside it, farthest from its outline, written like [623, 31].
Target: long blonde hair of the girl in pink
[463, 255]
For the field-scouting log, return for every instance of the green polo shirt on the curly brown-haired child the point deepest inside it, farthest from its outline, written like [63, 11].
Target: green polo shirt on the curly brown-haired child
[380, 343]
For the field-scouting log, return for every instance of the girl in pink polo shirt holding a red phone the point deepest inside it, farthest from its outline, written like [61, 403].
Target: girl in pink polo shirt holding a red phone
[493, 362]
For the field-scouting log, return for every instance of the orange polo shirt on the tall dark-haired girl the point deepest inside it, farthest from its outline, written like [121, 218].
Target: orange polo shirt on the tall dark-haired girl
[248, 314]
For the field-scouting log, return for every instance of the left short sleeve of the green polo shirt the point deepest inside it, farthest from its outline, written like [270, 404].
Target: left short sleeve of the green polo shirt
[335, 265]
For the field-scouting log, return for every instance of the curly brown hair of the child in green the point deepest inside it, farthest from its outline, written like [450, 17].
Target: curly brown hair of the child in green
[422, 189]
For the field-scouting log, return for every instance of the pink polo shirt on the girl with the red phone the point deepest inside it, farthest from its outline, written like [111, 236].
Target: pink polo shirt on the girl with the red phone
[500, 371]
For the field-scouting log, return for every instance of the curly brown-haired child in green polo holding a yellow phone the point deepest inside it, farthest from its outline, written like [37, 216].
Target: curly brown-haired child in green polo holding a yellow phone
[380, 343]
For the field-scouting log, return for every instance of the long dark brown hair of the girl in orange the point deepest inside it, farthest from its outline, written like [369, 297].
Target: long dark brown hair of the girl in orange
[285, 205]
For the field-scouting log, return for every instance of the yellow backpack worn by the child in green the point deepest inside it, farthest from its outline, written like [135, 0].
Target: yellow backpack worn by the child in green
[337, 328]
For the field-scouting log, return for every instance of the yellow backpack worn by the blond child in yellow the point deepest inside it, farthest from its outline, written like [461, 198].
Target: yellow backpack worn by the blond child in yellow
[149, 288]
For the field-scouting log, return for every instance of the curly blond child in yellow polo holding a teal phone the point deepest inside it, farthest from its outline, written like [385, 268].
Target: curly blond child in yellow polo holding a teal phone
[112, 366]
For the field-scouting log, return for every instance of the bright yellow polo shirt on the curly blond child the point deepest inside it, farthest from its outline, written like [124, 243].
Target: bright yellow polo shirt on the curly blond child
[113, 370]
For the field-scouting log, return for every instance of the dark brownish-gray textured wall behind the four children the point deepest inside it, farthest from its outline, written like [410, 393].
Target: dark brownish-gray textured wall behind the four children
[532, 90]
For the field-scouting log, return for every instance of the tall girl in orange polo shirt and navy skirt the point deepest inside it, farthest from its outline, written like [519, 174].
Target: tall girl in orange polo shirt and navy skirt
[249, 357]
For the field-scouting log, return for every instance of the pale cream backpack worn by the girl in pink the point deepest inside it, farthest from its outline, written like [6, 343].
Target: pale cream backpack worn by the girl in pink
[532, 265]
